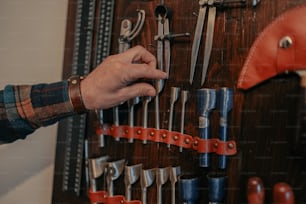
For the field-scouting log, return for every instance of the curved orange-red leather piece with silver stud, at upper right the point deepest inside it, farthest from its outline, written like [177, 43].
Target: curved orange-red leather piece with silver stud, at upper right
[268, 55]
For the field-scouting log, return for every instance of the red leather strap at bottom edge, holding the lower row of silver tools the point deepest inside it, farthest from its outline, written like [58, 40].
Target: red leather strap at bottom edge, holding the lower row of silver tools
[102, 197]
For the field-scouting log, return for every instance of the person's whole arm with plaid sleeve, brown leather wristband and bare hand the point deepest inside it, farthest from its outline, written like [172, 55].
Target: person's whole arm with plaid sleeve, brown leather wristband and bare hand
[23, 109]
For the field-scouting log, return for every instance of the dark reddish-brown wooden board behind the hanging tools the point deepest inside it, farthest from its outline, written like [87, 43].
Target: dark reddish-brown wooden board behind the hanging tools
[262, 121]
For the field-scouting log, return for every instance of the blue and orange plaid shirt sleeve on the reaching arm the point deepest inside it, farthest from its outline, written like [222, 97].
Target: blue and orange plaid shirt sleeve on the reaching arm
[25, 108]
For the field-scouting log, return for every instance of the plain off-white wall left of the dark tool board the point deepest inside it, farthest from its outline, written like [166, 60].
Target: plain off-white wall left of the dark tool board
[32, 34]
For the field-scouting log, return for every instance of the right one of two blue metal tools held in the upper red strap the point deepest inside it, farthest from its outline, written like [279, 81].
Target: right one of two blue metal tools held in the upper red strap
[224, 106]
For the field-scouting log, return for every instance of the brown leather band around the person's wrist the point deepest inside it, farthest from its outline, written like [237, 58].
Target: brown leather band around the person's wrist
[75, 94]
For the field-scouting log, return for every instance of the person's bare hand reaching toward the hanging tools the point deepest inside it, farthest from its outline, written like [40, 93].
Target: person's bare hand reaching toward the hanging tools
[111, 83]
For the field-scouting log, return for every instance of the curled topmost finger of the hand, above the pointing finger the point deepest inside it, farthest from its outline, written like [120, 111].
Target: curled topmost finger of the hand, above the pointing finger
[139, 53]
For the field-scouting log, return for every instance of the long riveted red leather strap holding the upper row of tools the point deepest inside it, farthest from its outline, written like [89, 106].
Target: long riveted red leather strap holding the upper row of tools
[186, 141]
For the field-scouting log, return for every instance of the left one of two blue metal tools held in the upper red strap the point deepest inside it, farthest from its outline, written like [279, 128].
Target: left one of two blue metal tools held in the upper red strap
[206, 102]
